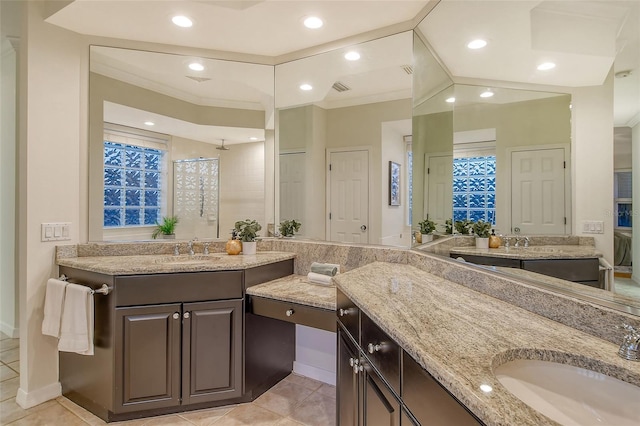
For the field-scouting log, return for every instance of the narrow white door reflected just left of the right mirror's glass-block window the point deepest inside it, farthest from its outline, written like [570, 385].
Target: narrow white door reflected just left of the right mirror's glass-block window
[440, 188]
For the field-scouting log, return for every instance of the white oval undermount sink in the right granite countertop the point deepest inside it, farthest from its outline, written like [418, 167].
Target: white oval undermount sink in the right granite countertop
[571, 395]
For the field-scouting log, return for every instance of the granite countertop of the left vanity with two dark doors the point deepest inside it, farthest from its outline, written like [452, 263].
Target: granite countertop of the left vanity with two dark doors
[164, 263]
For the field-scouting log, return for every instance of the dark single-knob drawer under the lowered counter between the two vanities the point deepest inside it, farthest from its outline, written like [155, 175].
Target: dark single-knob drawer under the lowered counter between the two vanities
[293, 312]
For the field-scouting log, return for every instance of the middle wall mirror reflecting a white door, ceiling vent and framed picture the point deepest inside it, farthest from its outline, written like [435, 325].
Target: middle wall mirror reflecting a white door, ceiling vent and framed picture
[343, 116]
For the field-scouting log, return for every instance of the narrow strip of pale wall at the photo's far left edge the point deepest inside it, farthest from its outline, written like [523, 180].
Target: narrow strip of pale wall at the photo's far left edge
[8, 288]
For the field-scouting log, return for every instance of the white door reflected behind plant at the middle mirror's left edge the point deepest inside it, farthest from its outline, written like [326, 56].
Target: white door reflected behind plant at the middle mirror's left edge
[292, 184]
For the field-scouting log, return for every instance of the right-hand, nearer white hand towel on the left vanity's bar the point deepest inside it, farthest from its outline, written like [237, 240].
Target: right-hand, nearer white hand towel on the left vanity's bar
[76, 330]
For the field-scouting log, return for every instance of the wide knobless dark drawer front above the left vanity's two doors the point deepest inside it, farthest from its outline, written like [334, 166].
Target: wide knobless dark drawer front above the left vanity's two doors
[182, 287]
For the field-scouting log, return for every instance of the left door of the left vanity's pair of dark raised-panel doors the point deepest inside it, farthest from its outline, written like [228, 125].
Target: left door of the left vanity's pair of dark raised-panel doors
[147, 357]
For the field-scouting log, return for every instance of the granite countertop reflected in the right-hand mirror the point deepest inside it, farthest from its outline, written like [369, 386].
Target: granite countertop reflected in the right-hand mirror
[532, 252]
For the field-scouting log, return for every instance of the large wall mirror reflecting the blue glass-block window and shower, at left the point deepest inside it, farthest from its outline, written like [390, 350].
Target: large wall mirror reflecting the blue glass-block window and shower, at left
[178, 135]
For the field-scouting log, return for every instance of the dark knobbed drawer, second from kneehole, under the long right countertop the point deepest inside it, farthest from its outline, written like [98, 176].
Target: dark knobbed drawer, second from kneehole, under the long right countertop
[382, 351]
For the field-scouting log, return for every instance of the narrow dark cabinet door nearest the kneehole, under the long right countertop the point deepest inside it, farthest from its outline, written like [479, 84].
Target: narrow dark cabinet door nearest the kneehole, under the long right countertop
[348, 384]
